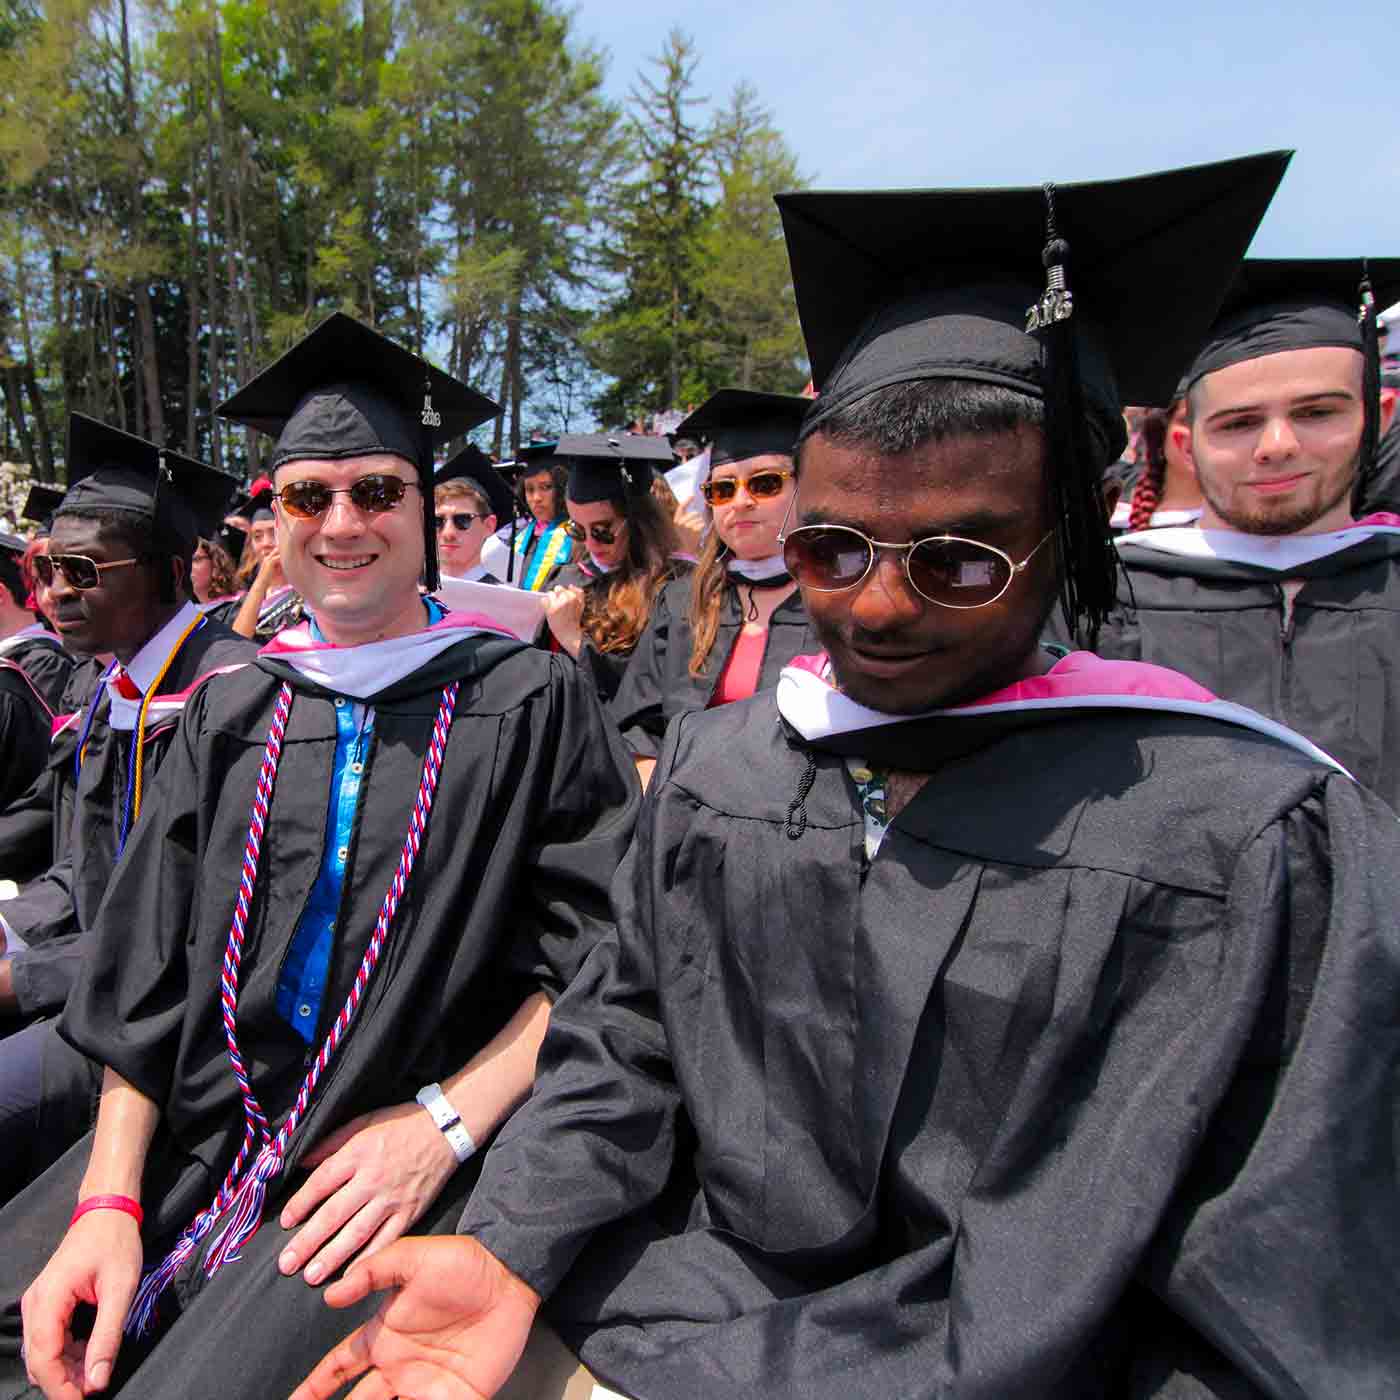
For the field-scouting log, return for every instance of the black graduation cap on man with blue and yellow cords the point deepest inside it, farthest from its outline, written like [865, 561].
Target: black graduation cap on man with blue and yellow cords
[115, 471]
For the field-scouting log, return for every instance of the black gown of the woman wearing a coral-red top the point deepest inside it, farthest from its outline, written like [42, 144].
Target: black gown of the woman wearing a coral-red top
[657, 685]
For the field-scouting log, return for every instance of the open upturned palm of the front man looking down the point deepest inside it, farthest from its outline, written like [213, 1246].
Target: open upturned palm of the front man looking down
[454, 1328]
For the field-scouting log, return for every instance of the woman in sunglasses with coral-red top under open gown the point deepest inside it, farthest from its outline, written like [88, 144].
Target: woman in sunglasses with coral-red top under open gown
[731, 628]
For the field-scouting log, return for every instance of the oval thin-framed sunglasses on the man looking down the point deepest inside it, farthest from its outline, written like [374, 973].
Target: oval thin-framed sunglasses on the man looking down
[948, 570]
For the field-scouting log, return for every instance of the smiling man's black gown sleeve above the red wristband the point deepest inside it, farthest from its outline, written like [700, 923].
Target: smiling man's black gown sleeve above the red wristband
[128, 1003]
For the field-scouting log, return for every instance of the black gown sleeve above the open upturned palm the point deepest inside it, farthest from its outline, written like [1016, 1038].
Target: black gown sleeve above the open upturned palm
[597, 1137]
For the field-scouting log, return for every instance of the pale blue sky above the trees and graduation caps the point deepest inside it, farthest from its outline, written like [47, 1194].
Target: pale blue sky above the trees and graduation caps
[899, 93]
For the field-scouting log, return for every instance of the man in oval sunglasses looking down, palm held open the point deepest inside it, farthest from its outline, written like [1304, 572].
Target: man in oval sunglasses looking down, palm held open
[972, 1052]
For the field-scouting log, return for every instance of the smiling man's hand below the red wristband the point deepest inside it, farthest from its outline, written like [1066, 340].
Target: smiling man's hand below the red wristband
[99, 1262]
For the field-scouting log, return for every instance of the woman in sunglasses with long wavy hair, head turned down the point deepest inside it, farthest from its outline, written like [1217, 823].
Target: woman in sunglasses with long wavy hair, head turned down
[626, 554]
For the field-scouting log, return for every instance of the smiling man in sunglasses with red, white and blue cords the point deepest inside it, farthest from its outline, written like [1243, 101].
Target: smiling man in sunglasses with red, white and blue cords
[321, 975]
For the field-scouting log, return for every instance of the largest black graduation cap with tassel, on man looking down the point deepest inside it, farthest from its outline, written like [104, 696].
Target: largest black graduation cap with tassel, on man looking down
[1053, 292]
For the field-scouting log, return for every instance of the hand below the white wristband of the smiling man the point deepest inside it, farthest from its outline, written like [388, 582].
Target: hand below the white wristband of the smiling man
[373, 1179]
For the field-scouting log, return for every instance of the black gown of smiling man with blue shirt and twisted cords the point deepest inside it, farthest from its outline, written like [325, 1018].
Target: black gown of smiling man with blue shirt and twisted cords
[534, 813]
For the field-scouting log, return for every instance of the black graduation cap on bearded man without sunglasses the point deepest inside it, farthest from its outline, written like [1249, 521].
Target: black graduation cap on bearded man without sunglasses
[1282, 304]
